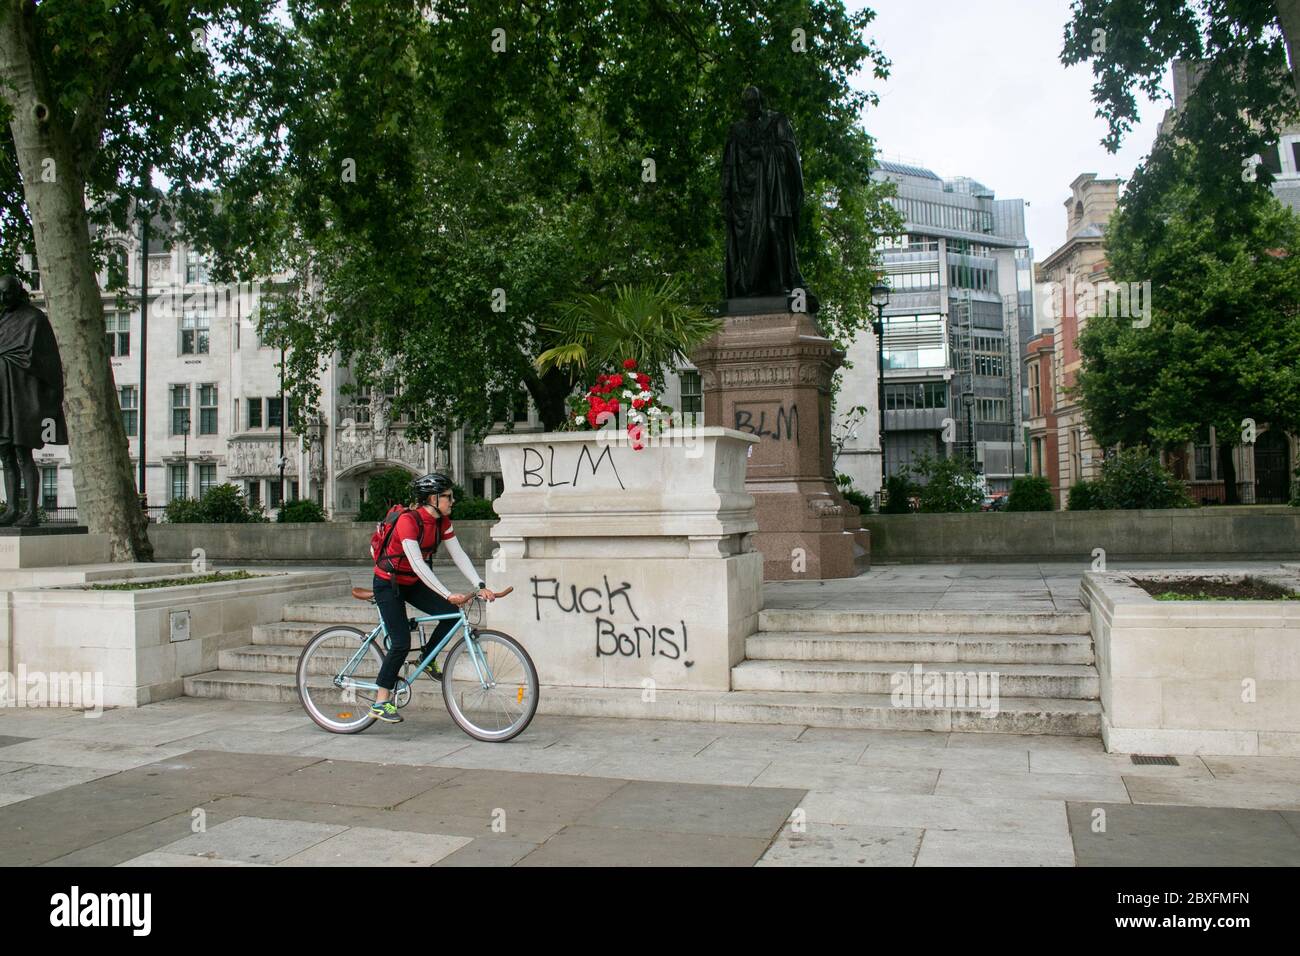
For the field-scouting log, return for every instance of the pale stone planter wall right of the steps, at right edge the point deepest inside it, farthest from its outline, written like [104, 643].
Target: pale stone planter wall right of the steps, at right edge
[1195, 677]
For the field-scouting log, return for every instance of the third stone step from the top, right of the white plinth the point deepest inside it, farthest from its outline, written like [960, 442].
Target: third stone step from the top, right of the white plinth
[1071, 681]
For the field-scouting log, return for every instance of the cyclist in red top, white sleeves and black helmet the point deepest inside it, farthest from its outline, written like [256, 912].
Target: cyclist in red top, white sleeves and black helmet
[402, 577]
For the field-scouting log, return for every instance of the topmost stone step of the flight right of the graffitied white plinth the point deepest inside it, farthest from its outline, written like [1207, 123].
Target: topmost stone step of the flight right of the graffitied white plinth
[946, 622]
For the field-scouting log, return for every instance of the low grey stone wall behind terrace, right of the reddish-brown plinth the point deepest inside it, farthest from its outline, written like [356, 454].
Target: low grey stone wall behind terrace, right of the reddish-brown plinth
[1189, 534]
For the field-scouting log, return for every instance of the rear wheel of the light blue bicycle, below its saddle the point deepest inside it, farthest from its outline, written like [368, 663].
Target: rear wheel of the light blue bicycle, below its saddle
[330, 695]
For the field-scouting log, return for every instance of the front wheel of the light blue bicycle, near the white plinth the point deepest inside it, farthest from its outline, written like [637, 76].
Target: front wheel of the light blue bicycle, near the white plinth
[491, 686]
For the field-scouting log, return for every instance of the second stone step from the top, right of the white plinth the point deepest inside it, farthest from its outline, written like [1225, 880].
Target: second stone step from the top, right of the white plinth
[976, 648]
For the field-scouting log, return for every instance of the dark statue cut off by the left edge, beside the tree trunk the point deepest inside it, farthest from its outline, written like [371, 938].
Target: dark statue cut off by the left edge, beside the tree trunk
[32, 397]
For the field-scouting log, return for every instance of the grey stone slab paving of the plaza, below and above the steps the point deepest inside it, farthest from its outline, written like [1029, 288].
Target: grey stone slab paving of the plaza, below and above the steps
[218, 782]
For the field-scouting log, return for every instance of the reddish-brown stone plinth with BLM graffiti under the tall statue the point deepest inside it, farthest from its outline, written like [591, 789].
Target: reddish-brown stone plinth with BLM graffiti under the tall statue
[769, 374]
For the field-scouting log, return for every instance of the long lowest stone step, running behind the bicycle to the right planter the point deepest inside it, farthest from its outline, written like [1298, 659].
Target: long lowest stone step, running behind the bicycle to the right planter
[811, 710]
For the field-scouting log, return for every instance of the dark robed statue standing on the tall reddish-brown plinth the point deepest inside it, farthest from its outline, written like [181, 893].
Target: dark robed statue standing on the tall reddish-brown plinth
[762, 196]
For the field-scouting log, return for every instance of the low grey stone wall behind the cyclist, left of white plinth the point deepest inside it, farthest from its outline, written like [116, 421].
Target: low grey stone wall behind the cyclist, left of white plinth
[320, 543]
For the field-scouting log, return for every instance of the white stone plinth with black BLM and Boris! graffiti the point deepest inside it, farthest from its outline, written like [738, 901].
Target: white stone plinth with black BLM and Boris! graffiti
[631, 569]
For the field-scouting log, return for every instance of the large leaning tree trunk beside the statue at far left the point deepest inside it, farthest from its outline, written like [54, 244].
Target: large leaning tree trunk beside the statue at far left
[54, 189]
